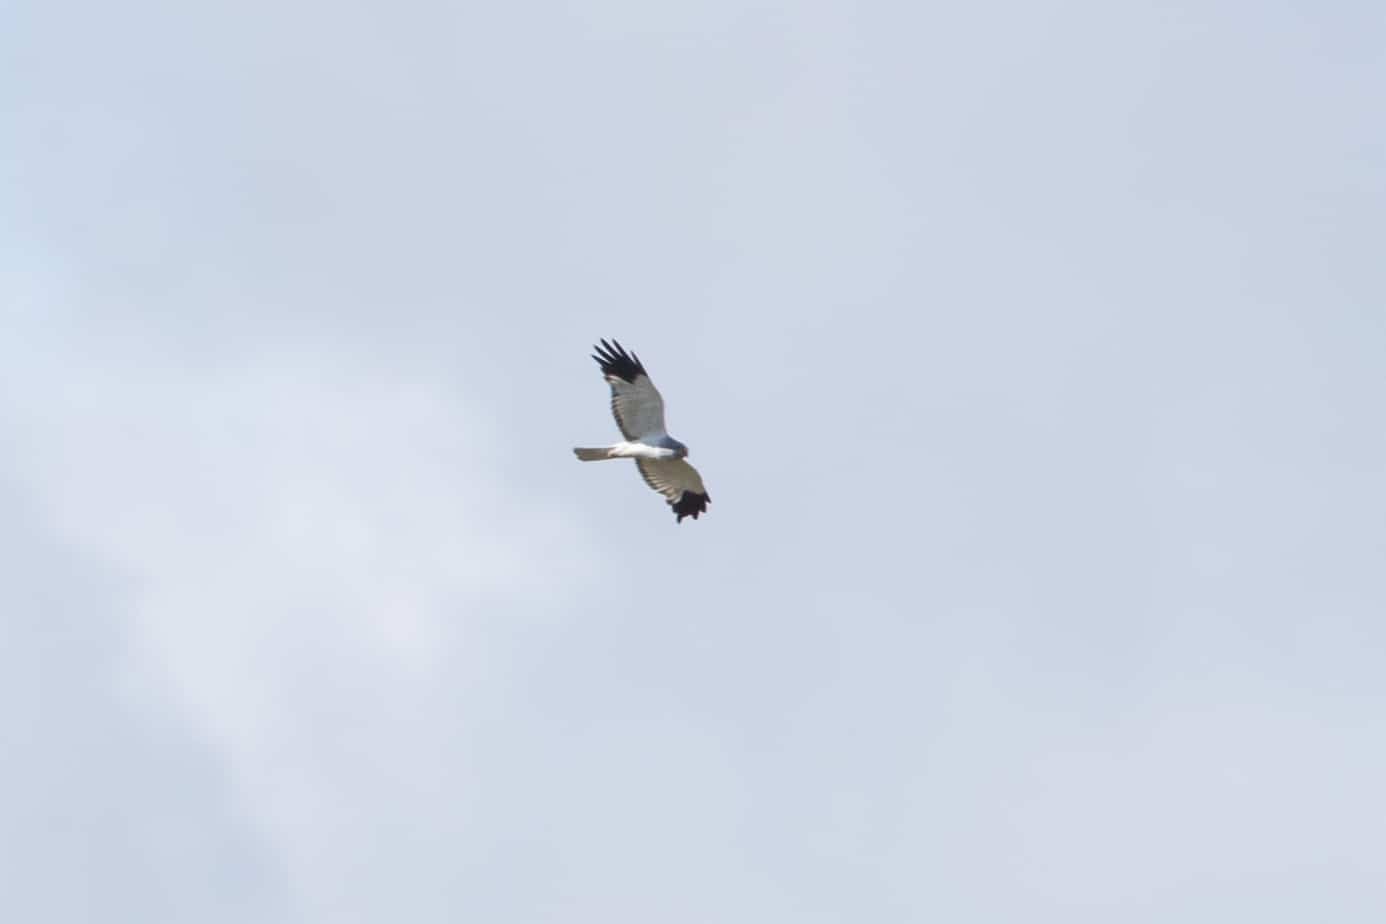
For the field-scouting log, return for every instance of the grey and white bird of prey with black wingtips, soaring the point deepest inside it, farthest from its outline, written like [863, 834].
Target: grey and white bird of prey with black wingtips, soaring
[640, 414]
